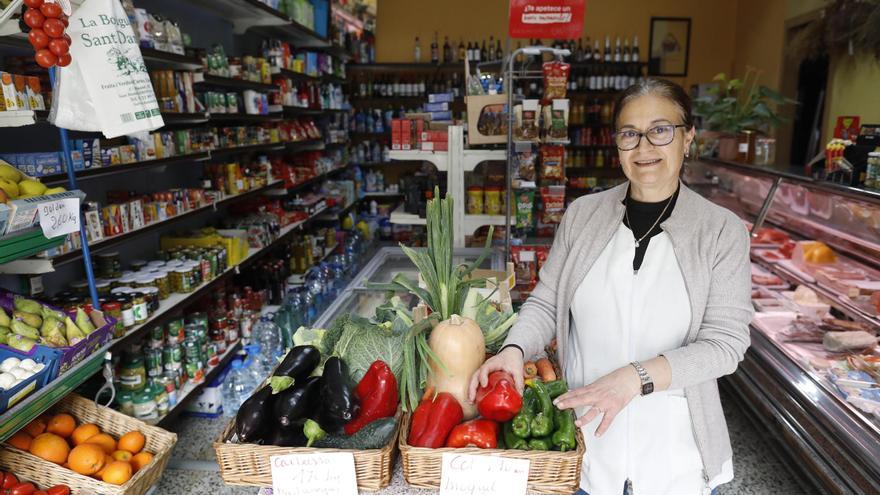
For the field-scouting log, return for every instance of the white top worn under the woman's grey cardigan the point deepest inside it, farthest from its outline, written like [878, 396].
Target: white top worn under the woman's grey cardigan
[619, 317]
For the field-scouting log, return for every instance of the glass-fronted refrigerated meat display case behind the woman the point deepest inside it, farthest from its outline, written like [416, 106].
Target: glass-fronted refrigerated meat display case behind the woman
[822, 408]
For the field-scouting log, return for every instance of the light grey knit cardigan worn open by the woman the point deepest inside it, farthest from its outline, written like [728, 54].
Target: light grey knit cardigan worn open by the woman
[712, 248]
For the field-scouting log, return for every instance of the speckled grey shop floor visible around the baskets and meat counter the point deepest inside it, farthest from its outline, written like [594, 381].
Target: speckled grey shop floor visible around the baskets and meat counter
[757, 470]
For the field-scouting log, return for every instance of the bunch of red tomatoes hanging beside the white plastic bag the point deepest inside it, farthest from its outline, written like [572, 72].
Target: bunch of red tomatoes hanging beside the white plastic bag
[47, 23]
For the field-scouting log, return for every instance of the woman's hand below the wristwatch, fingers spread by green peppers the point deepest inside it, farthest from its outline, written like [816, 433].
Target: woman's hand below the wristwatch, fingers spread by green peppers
[607, 395]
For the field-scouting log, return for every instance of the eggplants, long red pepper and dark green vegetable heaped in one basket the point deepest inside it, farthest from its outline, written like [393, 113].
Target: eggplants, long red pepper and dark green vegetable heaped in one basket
[309, 404]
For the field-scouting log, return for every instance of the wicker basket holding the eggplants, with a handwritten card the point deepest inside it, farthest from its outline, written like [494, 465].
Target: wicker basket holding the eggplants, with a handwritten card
[246, 464]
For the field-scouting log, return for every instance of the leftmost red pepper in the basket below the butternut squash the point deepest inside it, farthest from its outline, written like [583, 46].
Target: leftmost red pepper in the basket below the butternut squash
[433, 420]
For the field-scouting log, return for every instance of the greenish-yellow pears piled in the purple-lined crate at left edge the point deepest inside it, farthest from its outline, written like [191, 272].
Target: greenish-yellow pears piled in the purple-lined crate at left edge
[32, 323]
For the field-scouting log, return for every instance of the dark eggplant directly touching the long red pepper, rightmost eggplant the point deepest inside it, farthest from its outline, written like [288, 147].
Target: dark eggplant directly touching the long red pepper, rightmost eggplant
[338, 404]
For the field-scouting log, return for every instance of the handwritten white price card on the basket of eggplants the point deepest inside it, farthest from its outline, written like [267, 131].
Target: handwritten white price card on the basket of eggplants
[314, 474]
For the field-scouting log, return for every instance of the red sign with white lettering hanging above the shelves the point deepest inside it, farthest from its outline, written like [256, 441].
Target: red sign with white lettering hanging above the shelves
[556, 19]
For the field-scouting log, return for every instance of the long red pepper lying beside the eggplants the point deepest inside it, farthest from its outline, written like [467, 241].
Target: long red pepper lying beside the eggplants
[377, 393]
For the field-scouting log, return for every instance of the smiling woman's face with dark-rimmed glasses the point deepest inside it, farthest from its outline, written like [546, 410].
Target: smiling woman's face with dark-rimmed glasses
[652, 168]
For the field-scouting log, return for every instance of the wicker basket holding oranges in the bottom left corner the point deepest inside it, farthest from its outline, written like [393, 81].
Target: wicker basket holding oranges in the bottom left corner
[44, 473]
